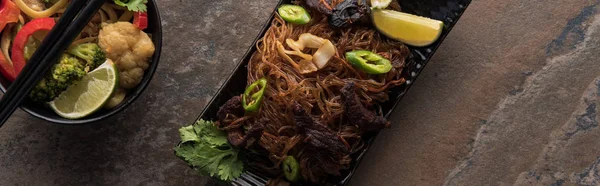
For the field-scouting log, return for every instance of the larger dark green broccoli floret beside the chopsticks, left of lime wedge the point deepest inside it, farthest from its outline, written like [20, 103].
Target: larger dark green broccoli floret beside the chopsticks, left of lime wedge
[68, 70]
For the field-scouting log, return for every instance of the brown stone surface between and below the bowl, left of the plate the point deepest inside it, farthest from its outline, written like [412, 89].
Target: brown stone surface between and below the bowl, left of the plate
[203, 40]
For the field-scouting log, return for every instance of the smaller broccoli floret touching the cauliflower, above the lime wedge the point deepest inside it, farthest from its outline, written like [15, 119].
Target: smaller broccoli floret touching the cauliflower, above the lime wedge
[91, 53]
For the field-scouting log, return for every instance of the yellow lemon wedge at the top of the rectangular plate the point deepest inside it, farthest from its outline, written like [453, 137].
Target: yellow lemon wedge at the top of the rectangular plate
[410, 29]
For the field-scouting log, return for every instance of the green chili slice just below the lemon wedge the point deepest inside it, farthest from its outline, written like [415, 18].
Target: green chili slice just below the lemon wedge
[369, 62]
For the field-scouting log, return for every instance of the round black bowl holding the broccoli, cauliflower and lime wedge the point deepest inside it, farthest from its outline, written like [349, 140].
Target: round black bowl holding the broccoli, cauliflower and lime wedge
[45, 113]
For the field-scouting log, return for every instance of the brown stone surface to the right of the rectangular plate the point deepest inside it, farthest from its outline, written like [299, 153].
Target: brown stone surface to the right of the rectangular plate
[509, 99]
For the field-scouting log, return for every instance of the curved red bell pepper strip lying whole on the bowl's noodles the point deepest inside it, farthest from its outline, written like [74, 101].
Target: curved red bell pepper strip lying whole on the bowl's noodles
[18, 56]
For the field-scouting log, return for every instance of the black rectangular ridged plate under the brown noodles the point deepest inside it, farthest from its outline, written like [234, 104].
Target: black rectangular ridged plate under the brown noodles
[448, 11]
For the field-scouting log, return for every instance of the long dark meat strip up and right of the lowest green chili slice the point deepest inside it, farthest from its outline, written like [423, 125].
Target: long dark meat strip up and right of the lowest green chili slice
[318, 136]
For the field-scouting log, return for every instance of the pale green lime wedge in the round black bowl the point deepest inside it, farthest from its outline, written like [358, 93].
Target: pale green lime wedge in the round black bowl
[89, 94]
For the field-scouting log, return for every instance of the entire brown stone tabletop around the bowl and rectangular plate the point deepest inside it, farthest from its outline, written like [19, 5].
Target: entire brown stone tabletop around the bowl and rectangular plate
[511, 98]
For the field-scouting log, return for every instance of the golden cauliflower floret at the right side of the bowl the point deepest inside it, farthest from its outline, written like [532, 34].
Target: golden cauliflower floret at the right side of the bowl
[130, 48]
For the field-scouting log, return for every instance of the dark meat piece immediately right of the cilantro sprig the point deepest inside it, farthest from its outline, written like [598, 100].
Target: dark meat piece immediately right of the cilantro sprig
[236, 137]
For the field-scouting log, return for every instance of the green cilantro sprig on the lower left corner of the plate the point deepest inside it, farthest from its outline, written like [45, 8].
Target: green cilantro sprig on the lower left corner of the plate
[205, 148]
